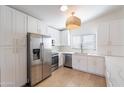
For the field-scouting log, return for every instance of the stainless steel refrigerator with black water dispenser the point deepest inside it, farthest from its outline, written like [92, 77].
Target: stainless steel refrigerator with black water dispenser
[39, 57]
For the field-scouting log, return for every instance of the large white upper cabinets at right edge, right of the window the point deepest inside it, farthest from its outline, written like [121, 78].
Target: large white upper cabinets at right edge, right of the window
[110, 39]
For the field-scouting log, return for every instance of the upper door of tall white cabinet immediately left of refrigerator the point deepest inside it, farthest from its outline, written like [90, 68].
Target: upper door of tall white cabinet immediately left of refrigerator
[20, 28]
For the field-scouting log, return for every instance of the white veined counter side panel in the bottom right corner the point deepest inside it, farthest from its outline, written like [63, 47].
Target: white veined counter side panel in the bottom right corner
[114, 71]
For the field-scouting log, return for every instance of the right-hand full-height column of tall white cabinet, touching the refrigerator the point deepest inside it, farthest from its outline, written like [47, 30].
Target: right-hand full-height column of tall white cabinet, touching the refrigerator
[20, 48]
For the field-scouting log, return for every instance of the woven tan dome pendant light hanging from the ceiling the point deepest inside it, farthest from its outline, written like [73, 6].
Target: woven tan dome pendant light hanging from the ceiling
[73, 22]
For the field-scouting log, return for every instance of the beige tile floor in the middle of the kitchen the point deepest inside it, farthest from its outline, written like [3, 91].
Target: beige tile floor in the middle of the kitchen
[66, 77]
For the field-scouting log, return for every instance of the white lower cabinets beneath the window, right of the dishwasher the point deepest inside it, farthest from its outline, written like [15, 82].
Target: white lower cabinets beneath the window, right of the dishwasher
[90, 64]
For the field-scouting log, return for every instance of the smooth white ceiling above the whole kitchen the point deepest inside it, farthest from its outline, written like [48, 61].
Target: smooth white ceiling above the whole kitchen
[52, 15]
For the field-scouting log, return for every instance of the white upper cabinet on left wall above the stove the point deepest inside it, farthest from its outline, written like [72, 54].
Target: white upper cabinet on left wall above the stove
[55, 35]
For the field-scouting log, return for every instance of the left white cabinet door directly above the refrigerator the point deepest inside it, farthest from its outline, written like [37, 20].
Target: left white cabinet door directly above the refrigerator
[32, 25]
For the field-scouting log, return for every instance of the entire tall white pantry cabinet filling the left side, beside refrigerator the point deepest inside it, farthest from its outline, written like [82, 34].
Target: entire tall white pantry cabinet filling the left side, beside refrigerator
[13, 62]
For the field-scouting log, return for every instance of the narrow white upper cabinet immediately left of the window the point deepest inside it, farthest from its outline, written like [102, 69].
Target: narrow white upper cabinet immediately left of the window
[64, 38]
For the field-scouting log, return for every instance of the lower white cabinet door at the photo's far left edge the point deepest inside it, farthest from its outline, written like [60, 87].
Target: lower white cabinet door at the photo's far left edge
[7, 67]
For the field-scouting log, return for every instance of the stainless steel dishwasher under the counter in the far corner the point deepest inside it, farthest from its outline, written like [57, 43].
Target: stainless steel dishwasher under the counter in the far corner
[68, 60]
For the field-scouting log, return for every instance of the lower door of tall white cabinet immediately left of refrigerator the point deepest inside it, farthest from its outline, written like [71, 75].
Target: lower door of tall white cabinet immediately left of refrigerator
[21, 67]
